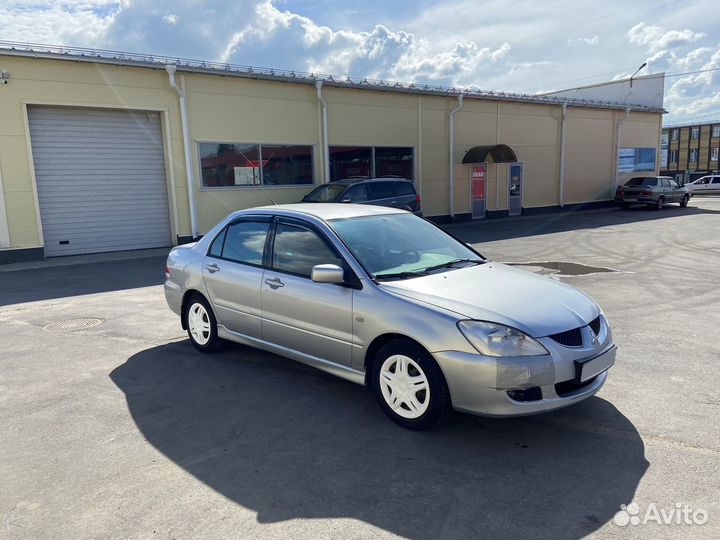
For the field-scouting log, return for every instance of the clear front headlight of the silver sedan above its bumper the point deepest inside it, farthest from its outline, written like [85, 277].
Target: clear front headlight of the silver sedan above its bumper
[492, 339]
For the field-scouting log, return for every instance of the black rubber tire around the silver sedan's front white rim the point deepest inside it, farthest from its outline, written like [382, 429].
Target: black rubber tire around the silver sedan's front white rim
[439, 408]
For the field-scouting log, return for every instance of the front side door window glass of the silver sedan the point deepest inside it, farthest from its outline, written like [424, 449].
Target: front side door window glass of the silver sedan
[298, 249]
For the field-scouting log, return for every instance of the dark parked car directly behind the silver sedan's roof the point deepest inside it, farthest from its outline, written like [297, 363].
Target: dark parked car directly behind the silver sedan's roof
[394, 192]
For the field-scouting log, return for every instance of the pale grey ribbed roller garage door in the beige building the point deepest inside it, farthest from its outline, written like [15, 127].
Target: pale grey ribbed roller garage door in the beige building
[100, 179]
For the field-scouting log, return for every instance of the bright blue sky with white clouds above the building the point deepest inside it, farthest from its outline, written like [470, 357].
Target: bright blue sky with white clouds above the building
[524, 46]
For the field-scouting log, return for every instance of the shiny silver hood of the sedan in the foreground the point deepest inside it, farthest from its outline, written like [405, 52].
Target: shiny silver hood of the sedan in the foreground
[537, 305]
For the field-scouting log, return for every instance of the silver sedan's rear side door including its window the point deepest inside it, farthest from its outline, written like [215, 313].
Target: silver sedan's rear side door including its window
[233, 271]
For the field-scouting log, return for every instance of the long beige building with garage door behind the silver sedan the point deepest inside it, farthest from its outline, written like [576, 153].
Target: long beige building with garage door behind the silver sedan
[100, 153]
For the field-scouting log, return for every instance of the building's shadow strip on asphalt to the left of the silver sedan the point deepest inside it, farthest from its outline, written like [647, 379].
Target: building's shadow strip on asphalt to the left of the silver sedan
[47, 283]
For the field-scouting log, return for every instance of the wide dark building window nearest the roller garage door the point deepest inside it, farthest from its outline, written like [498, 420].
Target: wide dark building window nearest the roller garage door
[237, 164]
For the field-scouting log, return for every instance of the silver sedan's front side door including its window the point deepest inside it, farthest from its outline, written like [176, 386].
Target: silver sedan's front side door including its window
[311, 318]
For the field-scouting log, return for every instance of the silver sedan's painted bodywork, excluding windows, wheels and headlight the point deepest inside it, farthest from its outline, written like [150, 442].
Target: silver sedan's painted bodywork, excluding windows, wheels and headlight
[336, 328]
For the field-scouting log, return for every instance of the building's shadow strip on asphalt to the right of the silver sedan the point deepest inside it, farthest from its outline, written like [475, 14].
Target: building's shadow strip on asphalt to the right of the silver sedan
[491, 230]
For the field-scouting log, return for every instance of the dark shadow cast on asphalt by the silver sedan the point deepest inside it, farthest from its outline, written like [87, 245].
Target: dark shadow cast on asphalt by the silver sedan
[290, 442]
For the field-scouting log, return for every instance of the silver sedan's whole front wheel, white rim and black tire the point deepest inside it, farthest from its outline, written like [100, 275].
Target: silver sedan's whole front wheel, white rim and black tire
[409, 385]
